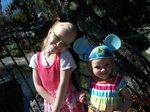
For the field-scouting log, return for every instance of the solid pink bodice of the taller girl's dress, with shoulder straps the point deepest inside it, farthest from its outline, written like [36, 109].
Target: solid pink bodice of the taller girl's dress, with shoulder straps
[50, 77]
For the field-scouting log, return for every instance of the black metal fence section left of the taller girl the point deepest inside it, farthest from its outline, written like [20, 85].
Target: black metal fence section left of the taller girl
[16, 86]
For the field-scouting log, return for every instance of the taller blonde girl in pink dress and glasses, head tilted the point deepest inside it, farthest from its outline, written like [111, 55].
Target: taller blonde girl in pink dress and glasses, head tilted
[52, 70]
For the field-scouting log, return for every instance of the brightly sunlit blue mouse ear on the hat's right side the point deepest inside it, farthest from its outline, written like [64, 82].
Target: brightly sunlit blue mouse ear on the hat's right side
[113, 42]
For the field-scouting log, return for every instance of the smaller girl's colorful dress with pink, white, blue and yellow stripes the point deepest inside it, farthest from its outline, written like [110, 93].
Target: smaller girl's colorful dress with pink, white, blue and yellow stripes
[105, 94]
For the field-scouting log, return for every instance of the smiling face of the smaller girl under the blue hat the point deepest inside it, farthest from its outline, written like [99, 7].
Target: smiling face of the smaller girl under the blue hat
[101, 68]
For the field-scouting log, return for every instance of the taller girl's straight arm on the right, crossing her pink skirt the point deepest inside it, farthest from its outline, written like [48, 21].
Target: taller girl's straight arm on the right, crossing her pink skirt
[62, 89]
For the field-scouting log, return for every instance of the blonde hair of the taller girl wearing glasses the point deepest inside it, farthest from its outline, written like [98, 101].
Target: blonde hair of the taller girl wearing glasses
[69, 27]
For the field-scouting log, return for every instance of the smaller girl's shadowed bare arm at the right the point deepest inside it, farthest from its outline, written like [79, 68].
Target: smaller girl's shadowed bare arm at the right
[128, 99]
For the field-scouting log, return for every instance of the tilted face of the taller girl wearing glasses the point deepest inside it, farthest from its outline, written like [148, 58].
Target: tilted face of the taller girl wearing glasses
[59, 40]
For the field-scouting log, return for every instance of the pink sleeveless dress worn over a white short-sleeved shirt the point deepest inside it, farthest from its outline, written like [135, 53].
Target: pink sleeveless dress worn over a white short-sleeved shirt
[50, 78]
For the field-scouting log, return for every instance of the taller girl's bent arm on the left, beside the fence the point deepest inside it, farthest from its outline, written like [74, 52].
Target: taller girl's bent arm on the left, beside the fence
[39, 88]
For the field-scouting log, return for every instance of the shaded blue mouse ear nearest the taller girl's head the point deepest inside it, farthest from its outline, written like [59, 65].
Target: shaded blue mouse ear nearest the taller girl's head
[81, 45]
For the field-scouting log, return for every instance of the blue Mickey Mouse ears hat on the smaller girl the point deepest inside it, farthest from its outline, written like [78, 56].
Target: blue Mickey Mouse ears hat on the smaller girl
[86, 52]
